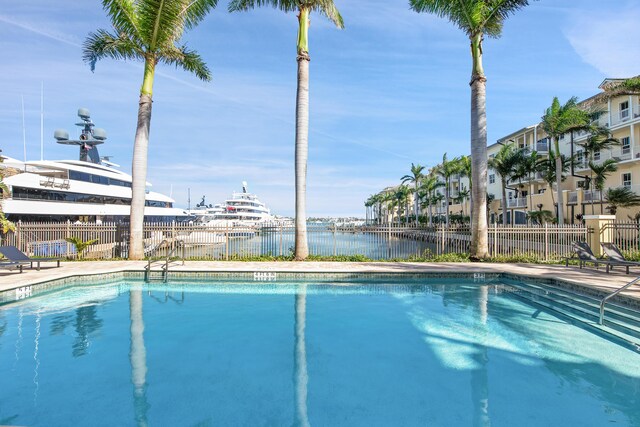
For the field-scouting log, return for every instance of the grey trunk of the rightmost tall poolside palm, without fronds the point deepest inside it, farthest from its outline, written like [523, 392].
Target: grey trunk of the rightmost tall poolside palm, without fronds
[479, 248]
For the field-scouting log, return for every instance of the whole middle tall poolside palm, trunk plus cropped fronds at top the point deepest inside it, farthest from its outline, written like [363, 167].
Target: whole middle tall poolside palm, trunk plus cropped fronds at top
[303, 8]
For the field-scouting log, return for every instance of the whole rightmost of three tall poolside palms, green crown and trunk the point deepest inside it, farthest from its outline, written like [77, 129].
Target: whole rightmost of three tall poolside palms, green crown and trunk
[476, 18]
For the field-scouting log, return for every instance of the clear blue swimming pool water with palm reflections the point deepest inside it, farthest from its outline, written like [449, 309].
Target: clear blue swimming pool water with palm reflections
[411, 353]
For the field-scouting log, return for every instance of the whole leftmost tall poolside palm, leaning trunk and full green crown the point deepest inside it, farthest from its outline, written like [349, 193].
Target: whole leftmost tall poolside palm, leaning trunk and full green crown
[150, 31]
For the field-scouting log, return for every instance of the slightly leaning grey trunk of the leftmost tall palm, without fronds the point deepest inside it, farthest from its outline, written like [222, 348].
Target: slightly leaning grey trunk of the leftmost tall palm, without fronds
[139, 164]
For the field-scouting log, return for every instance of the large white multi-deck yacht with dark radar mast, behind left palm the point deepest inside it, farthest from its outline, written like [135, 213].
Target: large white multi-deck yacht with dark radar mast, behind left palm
[90, 189]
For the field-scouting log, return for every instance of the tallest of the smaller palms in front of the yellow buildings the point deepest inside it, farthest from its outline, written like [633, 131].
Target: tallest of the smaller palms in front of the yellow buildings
[558, 120]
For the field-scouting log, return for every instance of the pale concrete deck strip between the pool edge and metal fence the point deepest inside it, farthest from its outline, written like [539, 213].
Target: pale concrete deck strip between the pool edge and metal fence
[588, 277]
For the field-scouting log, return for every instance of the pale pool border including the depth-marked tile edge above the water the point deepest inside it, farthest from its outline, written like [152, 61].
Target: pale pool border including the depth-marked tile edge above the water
[585, 281]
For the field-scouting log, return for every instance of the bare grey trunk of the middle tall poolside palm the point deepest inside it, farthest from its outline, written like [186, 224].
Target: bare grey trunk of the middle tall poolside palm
[302, 137]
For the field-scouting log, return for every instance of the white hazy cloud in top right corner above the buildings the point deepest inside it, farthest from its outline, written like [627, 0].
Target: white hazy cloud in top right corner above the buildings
[607, 40]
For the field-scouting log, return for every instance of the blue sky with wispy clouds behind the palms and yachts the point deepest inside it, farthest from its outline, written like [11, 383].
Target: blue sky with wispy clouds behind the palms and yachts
[389, 90]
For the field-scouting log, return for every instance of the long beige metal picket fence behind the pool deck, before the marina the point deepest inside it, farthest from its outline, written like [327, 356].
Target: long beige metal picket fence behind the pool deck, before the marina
[245, 242]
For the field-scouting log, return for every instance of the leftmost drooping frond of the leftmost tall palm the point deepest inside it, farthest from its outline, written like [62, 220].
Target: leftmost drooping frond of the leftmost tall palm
[102, 44]
